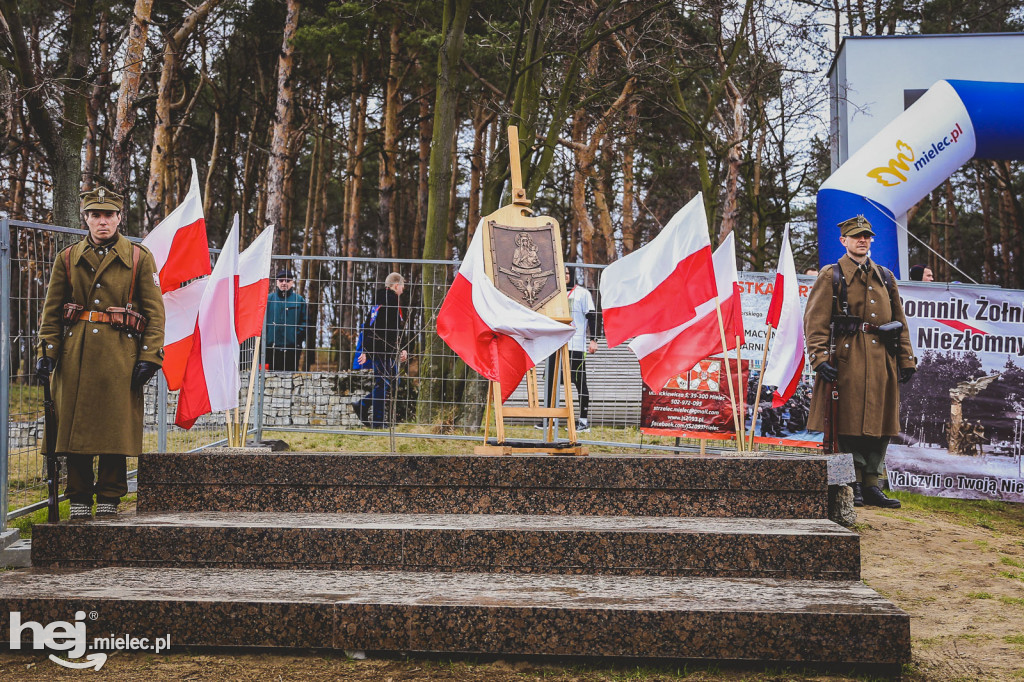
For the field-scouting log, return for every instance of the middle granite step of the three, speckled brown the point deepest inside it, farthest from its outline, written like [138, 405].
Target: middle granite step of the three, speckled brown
[799, 549]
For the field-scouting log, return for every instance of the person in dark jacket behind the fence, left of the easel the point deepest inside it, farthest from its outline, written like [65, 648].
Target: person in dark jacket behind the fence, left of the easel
[382, 346]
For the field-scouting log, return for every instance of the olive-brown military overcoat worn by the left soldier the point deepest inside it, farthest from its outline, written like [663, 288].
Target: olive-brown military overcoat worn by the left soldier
[98, 412]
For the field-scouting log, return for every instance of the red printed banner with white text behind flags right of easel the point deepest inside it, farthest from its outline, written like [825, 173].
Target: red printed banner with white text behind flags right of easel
[696, 405]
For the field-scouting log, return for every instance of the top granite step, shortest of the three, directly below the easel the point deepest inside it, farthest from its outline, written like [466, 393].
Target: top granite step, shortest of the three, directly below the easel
[763, 487]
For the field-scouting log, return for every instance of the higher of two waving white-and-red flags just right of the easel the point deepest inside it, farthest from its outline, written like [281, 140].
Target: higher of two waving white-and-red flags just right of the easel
[659, 287]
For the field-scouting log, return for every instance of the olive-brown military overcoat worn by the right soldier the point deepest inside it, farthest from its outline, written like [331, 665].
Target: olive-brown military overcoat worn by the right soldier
[869, 376]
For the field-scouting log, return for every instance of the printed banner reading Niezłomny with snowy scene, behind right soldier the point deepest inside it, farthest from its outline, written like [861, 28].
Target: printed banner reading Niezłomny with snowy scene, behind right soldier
[962, 416]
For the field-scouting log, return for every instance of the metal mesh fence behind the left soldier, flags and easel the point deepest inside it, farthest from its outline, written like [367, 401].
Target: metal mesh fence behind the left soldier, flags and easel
[308, 375]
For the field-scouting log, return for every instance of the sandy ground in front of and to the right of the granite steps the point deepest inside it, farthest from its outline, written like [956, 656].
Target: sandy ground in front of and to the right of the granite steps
[963, 586]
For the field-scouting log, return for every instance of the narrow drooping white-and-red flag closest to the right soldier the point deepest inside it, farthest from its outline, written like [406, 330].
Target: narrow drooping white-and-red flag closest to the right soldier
[786, 365]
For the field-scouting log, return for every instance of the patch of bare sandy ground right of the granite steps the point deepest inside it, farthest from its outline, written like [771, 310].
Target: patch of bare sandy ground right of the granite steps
[963, 586]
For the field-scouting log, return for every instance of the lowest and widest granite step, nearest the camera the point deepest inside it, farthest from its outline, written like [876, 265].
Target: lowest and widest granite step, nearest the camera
[767, 621]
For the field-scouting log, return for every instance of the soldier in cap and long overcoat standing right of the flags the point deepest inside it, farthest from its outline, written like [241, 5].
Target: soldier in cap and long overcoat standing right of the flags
[854, 344]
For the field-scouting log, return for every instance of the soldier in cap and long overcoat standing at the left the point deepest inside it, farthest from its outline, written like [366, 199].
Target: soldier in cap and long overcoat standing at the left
[101, 342]
